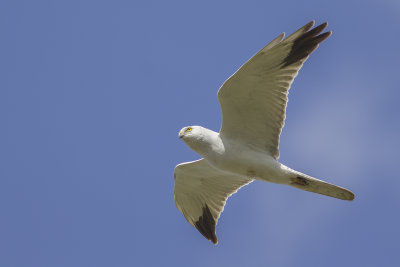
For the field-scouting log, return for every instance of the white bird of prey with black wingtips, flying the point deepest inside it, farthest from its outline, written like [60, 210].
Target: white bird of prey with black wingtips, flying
[253, 102]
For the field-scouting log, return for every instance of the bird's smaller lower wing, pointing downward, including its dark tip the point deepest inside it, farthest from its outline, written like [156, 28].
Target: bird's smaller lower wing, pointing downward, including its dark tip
[201, 192]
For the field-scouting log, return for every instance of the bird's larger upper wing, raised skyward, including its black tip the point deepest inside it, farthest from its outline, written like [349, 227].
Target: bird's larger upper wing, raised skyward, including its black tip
[253, 100]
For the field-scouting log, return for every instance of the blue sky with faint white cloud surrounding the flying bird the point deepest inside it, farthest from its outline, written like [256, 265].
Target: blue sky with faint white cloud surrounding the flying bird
[93, 94]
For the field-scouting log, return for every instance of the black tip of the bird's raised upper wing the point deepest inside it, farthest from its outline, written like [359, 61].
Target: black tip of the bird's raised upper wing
[306, 43]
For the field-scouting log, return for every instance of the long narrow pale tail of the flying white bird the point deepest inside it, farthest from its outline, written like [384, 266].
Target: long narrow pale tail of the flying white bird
[308, 183]
